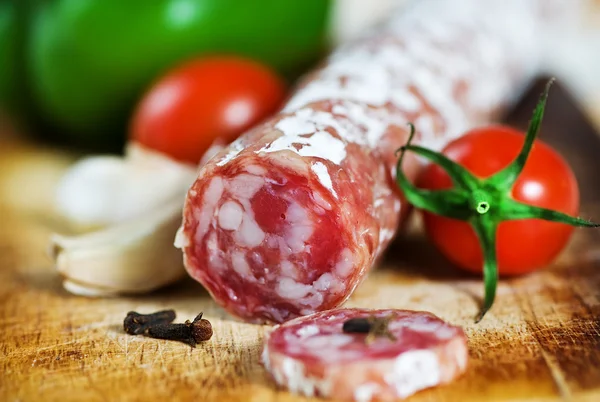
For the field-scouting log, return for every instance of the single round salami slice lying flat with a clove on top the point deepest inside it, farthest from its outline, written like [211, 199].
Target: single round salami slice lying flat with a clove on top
[314, 356]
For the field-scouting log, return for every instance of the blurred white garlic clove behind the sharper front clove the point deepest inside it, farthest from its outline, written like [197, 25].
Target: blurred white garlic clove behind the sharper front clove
[106, 190]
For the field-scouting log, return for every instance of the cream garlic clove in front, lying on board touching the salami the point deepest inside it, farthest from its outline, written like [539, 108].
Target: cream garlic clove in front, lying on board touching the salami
[136, 256]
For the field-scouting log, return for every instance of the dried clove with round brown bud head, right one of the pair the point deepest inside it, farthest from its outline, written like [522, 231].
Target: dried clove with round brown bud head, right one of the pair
[191, 333]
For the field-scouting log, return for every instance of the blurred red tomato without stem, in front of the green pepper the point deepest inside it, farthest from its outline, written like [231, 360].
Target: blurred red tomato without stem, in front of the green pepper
[204, 100]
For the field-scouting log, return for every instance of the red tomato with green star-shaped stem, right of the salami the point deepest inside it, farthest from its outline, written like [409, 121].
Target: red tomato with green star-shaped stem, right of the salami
[504, 203]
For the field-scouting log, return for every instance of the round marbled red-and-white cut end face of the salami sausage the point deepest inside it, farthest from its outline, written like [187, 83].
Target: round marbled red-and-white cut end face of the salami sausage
[274, 235]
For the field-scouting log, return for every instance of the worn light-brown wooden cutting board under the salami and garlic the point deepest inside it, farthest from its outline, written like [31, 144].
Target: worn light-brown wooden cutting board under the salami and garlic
[540, 342]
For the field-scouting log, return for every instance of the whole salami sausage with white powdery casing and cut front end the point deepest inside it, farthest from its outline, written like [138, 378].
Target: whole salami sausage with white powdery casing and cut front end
[288, 219]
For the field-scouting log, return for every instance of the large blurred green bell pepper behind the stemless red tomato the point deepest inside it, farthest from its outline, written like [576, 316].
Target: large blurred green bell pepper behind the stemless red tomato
[91, 60]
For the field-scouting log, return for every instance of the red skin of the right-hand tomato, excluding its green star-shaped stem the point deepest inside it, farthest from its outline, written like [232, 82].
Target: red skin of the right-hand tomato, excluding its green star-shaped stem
[546, 181]
